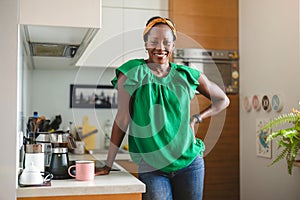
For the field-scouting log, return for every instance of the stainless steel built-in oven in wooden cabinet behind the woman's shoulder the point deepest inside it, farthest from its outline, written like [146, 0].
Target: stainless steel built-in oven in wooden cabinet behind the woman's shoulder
[220, 66]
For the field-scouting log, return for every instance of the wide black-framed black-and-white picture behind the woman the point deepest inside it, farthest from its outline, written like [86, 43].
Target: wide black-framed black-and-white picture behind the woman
[93, 96]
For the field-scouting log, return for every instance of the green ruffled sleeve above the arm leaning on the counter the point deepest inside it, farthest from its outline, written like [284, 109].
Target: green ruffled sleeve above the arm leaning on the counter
[131, 70]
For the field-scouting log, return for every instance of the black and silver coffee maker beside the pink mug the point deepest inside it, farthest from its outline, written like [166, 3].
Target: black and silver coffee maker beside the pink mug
[59, 159]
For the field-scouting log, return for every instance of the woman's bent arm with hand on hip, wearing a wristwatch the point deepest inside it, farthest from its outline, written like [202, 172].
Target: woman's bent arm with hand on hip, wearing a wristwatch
[213, 92]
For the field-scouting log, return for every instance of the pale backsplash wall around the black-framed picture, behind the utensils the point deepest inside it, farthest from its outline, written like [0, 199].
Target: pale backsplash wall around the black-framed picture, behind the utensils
[50, 96]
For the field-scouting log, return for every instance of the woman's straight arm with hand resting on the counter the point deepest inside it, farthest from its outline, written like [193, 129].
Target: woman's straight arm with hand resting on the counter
[119, 127]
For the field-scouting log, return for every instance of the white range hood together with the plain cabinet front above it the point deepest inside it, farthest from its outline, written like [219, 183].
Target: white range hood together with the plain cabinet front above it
[56, 38]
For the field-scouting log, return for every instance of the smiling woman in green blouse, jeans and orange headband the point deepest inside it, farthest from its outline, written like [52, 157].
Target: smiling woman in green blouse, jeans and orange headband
[154, 102]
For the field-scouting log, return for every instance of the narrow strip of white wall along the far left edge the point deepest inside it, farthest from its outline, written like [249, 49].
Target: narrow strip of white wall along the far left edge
[8, 106]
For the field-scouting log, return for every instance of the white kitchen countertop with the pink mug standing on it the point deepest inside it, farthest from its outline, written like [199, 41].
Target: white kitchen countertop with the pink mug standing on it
[116, 183]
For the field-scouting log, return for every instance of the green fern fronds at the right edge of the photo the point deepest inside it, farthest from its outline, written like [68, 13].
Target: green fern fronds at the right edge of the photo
[288, 139]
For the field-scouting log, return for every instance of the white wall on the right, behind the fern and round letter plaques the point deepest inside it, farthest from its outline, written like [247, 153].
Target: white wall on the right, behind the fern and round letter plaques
[269, 64]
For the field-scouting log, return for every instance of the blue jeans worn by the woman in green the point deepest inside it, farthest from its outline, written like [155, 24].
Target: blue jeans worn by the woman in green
[184, 184]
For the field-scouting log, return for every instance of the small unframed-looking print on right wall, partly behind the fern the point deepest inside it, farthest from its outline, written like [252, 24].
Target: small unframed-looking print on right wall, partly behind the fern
[263, 148]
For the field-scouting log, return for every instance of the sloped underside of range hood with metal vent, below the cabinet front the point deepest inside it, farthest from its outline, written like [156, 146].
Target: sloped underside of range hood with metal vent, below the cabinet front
[56, 47]
